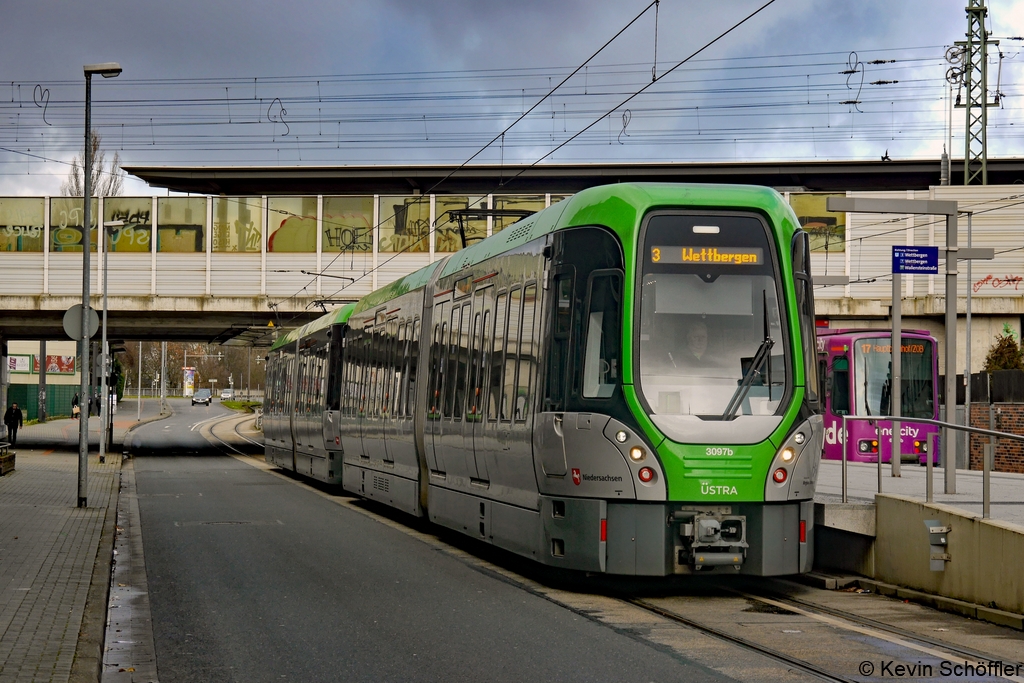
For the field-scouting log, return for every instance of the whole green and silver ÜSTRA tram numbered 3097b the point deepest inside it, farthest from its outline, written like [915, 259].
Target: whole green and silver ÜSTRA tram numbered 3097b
[624, 382]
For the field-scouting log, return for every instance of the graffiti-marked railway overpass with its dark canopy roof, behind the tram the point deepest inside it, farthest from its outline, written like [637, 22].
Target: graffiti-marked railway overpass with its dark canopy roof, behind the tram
[224, 268]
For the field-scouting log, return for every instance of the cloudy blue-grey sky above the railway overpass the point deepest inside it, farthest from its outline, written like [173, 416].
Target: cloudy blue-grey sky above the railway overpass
[407, 81]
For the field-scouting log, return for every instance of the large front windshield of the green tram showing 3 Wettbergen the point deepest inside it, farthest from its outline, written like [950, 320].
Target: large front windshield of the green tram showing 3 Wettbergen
[712, 341]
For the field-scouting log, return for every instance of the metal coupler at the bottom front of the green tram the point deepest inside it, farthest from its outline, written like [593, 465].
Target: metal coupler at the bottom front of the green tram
[710, 538]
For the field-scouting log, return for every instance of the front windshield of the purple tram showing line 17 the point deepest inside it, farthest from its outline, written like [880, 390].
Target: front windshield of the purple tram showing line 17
[873, 377]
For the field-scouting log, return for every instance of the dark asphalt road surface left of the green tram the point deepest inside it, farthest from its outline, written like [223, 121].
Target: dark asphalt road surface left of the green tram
[255, 579]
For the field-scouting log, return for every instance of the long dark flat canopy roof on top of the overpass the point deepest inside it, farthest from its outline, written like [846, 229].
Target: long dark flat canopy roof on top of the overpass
[560, 179]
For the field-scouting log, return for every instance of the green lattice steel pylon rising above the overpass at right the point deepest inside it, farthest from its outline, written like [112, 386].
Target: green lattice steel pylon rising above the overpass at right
[974, 72]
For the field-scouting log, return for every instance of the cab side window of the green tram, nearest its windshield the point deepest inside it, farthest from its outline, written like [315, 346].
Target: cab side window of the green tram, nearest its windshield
[602, 359]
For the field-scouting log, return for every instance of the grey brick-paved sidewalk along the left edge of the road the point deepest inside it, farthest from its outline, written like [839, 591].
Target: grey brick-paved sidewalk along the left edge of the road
[49, 549]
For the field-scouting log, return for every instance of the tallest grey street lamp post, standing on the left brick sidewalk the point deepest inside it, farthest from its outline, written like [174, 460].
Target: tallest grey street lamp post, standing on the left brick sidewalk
[107, 70]
